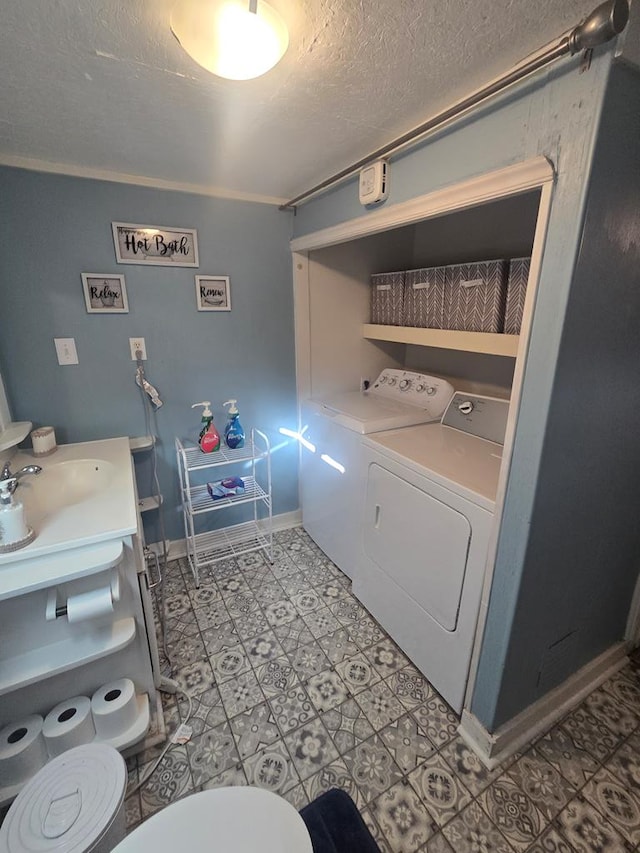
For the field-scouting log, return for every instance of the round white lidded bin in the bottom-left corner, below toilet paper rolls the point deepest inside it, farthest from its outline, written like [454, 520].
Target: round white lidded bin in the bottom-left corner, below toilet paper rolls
[69, 804]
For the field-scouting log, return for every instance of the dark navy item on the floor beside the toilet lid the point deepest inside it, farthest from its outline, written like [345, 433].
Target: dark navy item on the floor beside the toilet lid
[335, 825]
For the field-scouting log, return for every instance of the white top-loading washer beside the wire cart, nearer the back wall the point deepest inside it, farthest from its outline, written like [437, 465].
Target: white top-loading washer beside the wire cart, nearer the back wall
[332, 480]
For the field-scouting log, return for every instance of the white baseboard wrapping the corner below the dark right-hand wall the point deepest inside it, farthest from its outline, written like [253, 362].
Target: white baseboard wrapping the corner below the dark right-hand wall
[494, 748]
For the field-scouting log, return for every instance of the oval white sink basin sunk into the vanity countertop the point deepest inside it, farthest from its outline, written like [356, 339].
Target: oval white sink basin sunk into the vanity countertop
[66, 483]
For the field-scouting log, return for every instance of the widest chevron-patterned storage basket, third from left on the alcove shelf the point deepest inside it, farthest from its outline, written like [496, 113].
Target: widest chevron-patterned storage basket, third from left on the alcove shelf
[475, 296]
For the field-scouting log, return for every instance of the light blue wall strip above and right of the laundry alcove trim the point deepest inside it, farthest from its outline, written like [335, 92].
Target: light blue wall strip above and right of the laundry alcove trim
[556, 115]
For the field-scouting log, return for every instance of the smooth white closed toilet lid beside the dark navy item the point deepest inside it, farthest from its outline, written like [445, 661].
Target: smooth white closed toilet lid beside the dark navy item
[222, 820]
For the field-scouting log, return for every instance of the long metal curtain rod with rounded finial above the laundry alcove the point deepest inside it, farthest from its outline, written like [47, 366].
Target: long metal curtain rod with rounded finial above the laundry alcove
[606, 21]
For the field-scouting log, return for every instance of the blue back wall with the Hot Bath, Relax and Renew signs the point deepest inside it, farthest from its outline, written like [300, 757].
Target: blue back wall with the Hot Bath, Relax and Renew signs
[53, 228]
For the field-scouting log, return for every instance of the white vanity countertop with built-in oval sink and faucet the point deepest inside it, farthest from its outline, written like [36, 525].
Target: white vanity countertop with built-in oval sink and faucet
[83, 495]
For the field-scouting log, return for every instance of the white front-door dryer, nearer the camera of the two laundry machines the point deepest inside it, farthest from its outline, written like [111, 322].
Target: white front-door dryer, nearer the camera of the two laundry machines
[428, 512]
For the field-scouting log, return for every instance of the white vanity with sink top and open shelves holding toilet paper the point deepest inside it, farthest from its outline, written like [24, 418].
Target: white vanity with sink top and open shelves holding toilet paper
[75, 607]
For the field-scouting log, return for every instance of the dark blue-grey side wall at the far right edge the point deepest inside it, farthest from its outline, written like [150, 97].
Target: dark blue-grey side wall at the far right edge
[581, 563]
